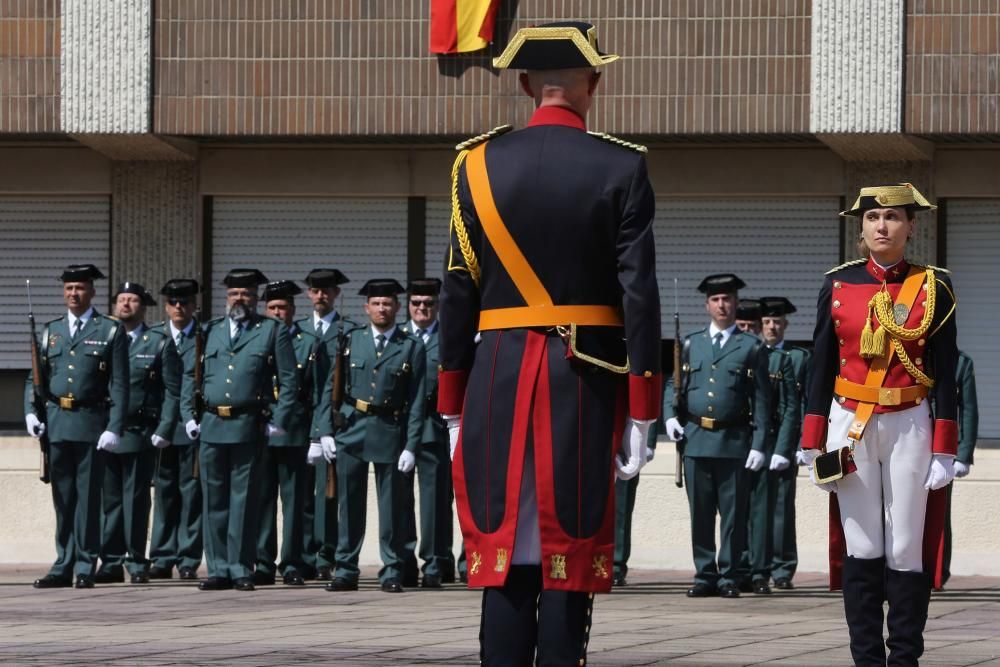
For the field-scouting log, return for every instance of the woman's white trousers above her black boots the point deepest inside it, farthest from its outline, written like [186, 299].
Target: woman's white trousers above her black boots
[883, 504]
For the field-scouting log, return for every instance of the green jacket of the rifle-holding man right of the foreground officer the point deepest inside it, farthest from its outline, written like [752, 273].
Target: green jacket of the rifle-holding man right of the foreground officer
[732, 388]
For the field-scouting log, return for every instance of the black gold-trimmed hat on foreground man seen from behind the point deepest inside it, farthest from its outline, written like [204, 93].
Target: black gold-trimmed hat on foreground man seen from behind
[562, 45]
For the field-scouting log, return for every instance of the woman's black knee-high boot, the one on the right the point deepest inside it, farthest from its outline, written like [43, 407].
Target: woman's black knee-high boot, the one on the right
[909, 595]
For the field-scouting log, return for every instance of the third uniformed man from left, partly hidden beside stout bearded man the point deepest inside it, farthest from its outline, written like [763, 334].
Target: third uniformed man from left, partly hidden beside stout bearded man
[177, 537]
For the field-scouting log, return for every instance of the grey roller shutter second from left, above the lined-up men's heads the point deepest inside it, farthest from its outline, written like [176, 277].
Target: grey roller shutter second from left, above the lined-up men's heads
[287, 238]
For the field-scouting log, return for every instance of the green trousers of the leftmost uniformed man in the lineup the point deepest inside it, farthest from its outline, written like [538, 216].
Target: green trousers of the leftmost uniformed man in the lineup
[77, 473]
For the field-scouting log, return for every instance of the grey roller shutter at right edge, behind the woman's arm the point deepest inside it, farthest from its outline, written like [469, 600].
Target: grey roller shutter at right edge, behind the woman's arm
[973, 247]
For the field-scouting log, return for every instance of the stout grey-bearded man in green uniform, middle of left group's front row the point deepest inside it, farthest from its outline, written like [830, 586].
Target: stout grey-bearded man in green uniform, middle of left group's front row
[244, 353]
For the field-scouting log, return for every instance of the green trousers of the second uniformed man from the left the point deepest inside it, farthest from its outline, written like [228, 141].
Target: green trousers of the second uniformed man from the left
[126, 503]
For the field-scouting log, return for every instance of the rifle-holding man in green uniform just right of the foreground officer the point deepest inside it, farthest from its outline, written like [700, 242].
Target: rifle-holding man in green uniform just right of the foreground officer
[724, 389]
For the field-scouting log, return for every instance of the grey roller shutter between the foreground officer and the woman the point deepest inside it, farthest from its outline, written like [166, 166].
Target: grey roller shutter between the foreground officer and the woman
[779, 247]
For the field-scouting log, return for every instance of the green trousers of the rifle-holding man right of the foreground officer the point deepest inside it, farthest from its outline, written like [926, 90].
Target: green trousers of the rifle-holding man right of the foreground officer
[717, 487]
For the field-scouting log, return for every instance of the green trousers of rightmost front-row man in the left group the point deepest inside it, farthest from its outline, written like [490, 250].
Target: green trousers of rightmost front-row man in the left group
[352, 494]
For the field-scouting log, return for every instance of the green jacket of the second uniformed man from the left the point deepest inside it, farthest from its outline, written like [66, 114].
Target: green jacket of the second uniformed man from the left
[154, 390]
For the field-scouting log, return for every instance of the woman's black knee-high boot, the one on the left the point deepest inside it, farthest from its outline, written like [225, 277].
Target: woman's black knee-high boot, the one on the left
[864, 591]
